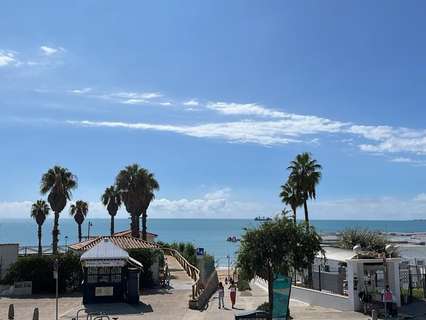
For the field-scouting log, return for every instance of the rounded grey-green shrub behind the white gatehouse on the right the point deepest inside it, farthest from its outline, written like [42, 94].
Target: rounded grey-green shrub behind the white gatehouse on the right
[368, 240]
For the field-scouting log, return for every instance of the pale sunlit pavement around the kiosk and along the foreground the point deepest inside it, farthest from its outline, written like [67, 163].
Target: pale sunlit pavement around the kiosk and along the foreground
[166, 304]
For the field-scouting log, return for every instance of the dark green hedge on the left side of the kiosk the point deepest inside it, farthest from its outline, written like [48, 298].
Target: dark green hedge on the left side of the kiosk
[39, 270]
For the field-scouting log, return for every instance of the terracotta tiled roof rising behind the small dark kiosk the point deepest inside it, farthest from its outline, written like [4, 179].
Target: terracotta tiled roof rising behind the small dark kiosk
[124, 242]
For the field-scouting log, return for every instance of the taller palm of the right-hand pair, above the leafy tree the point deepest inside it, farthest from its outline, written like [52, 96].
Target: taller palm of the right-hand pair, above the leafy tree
[305, 174]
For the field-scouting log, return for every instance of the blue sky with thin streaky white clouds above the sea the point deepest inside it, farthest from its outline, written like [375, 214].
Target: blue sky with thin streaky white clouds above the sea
[215, 98]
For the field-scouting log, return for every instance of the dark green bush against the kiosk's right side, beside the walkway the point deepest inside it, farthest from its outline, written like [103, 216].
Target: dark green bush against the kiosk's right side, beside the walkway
[146, 257]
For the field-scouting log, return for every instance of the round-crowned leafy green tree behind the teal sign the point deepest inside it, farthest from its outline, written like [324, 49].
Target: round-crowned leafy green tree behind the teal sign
[276, 246]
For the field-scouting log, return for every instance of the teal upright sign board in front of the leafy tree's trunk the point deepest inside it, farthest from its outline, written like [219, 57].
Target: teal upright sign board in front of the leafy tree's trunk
[282, 289]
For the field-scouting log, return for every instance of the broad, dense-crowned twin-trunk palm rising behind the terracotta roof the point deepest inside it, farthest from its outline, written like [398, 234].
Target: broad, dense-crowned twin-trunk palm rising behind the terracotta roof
[136, 186]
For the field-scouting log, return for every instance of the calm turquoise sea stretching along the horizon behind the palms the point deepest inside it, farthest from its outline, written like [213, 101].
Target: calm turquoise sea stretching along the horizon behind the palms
[210, 234]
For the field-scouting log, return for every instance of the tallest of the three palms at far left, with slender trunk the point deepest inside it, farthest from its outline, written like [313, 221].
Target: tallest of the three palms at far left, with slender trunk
[59, 183]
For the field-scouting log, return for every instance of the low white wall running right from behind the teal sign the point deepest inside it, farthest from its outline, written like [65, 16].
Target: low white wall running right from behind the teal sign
[321, 298]
